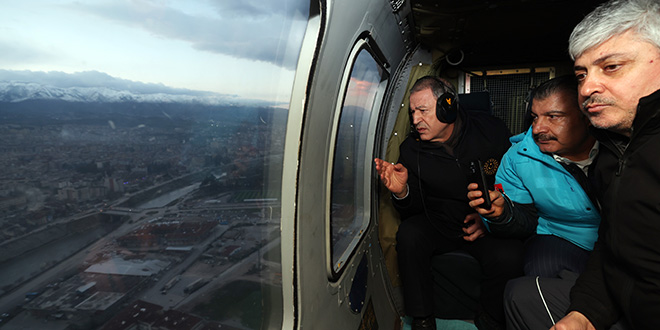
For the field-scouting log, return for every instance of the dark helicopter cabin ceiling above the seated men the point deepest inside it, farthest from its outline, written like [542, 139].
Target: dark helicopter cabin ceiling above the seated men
[498, 32]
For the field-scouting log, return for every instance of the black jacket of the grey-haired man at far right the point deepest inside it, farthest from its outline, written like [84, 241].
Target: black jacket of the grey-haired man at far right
[623, 274]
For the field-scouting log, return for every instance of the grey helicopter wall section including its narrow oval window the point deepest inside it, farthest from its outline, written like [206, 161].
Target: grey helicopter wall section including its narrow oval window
[339, 281]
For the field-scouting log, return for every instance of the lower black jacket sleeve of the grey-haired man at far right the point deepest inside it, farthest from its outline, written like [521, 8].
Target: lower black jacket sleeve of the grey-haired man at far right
[589, 295]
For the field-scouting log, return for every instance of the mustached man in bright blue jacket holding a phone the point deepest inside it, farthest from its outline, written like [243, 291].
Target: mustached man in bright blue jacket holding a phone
[544, 197]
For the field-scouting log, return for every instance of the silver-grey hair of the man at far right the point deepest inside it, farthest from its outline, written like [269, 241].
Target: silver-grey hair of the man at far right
[613, 18]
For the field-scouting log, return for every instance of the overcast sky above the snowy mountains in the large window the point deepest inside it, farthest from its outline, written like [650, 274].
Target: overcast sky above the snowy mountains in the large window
[246, 48]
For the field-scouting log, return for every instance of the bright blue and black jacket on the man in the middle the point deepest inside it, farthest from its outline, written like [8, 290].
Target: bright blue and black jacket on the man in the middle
[536, 183]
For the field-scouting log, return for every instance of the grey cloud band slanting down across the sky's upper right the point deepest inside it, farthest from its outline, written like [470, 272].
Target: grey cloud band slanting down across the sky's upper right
[269, 31]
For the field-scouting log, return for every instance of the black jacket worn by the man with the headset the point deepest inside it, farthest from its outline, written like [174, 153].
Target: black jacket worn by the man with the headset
[442, 169]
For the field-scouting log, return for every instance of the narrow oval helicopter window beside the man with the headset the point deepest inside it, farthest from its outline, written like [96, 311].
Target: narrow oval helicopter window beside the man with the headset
[351, 180]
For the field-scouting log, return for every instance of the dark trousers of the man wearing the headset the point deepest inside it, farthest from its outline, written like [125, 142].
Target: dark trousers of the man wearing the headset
[418, 240]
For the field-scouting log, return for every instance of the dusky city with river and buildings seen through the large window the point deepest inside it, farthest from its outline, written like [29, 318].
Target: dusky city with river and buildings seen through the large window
[126, 213]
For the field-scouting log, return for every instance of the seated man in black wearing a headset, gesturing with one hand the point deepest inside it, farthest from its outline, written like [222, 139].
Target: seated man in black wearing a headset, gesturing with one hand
[429, 188]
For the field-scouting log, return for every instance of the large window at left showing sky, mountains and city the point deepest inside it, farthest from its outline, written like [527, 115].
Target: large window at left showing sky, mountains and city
[141, 162]
